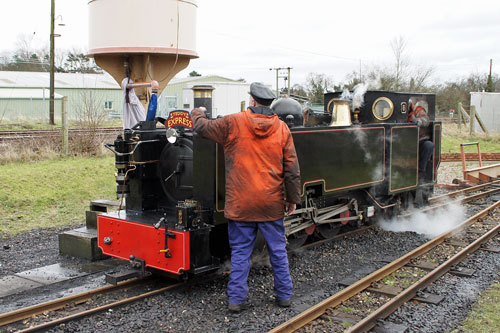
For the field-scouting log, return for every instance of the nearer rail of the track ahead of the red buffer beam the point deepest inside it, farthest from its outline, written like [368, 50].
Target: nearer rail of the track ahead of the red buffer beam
[100, 308]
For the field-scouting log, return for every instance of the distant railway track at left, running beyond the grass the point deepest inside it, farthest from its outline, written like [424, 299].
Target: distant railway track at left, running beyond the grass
[12, 136]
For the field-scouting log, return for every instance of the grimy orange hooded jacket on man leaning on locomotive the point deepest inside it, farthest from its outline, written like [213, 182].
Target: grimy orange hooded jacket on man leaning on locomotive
[260, 158]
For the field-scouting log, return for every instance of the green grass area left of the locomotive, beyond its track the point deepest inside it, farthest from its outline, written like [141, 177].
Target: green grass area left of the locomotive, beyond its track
[52, 192]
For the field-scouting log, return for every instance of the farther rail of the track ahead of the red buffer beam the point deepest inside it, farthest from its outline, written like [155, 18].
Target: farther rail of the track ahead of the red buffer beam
[27, 312]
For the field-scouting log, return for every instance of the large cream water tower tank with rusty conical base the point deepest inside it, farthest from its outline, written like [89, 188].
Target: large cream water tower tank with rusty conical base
[155, 38]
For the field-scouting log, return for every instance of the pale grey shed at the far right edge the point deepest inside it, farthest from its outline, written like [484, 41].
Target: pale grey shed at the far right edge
[488, 108]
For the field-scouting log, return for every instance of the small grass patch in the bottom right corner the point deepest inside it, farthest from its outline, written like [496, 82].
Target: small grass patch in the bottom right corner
[484, 315]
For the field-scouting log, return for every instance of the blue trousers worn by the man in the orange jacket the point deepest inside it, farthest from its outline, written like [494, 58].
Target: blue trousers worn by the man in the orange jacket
[241, 239]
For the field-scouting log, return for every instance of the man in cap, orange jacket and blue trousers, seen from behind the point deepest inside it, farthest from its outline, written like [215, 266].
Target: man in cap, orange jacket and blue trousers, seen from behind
[260, 158]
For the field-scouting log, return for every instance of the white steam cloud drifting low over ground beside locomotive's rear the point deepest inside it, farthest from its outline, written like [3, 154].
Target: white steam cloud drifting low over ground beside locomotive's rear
[430, 224]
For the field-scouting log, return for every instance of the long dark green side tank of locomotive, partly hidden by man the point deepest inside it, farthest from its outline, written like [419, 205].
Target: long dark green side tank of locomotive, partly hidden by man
[323, 159]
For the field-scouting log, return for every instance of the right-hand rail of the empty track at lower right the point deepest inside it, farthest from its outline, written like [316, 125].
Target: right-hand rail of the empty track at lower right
[385, 310]
